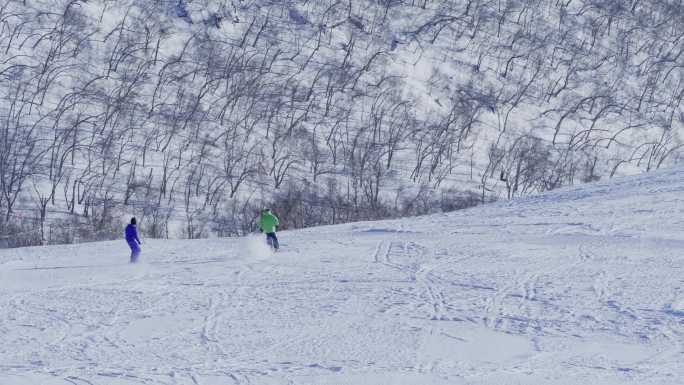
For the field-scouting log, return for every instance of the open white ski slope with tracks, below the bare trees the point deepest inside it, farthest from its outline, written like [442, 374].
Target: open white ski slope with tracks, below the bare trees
[579, 286]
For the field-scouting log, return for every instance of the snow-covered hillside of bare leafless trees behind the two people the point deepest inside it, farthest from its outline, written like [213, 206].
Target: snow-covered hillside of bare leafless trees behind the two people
[192, 115]
